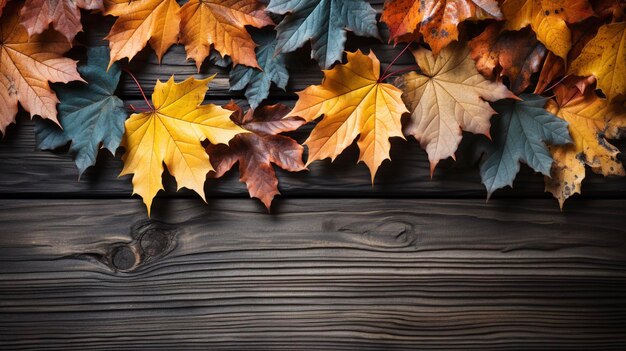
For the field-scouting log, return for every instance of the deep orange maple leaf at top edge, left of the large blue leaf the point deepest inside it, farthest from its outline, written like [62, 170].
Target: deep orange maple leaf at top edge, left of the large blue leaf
[221, 23]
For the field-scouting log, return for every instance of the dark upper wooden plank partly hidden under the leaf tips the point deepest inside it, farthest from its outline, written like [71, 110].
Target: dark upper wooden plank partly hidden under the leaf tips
[31, 172]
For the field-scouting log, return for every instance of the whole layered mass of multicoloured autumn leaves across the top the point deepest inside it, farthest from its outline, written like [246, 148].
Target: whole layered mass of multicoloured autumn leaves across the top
[570, 54]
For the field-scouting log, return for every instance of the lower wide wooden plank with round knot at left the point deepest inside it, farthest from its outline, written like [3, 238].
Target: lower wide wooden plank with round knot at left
[332, 275]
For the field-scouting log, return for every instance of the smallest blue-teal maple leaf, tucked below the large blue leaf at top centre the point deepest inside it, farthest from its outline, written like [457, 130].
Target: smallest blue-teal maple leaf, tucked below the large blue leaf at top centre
[256, 81]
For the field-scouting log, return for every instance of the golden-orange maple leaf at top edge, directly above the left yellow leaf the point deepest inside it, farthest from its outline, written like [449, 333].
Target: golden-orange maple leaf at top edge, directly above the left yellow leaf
[140, 22]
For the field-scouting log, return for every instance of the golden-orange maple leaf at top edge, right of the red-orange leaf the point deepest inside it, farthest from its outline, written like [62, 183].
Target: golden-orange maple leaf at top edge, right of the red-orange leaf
[548, 18]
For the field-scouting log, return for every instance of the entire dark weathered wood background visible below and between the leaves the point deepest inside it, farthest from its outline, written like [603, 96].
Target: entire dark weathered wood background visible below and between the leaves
[409, 263]
